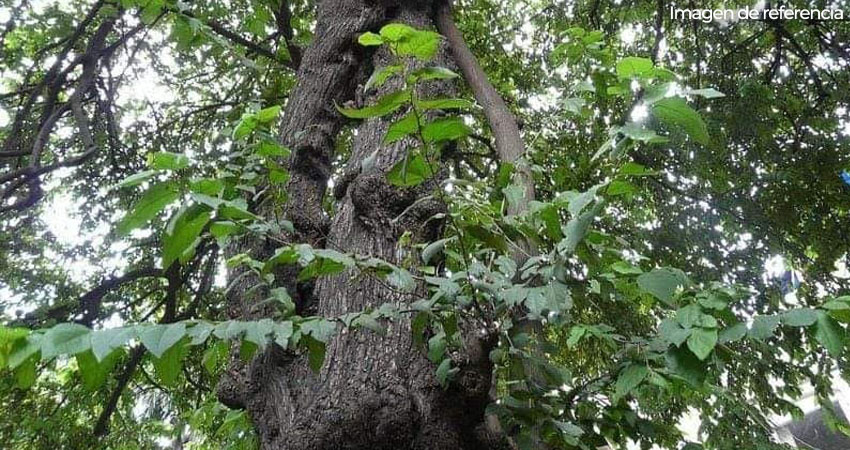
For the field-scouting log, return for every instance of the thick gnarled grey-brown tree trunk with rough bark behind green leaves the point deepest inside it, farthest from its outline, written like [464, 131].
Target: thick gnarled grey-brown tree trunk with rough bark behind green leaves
[373, 392]
